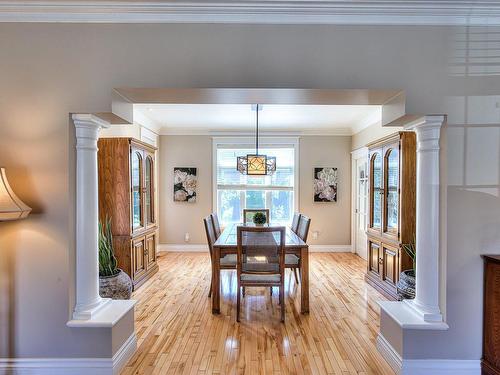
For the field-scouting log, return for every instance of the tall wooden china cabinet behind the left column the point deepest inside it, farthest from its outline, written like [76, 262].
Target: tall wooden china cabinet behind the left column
[127, 196]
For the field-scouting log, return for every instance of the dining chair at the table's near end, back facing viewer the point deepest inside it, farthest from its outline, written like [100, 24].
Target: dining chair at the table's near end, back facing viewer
[261, 261]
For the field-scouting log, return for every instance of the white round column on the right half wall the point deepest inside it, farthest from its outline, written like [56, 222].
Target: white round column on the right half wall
[426, 302]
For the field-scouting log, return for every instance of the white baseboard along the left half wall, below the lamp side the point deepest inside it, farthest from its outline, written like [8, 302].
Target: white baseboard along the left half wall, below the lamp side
[71, 366]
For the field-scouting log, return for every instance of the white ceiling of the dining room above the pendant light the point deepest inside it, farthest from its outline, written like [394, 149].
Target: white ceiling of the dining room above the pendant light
[209, 118]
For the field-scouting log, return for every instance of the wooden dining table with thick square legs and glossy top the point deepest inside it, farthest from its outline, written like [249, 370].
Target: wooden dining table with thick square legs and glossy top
[227, 244]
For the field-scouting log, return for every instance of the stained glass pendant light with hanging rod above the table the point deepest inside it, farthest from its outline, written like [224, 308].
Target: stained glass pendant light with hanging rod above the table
[256, 164]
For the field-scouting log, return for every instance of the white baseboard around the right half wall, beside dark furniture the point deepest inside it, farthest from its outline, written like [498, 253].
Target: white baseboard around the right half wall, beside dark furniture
[426, 366]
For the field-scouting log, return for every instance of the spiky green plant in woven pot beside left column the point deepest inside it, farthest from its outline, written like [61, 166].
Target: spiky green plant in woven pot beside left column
[113, 282]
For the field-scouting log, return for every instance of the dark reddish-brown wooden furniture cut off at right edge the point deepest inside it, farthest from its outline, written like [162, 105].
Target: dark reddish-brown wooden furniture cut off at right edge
[490, 364]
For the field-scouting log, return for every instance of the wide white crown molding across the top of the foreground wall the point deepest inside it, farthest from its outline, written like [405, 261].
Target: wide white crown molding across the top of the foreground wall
[354, 12]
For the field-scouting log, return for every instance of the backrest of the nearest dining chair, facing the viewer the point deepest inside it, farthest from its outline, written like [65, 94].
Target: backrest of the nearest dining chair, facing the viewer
[261, 250]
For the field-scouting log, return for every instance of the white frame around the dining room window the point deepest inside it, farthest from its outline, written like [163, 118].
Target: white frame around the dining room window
[249, 142]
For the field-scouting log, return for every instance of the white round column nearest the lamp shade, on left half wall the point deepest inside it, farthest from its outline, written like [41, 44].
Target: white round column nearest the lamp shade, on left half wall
[88, 301]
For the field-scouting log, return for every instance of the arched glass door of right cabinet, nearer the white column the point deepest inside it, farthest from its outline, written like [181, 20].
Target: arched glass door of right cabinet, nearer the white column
[391, 218]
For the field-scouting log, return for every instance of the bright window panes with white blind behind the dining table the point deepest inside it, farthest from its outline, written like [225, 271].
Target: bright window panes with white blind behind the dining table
[235, 191]
